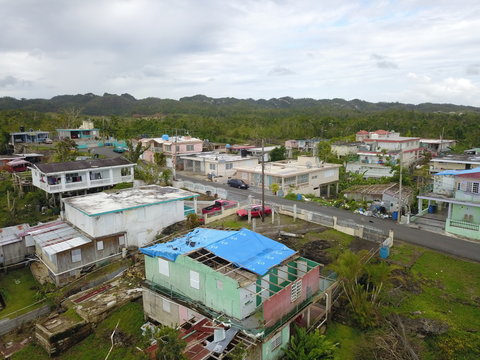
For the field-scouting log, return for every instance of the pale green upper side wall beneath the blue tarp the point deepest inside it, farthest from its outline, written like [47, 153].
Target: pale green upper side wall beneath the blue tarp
[224, 297]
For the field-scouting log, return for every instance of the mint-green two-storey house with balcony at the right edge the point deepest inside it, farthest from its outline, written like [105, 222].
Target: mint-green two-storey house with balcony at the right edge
[459, 192]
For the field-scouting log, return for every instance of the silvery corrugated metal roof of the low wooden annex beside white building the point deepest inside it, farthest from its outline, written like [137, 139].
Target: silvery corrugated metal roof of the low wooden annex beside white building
[57, 236]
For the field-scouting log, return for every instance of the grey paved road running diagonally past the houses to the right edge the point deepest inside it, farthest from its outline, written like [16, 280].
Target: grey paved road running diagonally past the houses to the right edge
[446, 244]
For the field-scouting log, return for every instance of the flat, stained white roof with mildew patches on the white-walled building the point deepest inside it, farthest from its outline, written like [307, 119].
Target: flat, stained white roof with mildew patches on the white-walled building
[126, 199]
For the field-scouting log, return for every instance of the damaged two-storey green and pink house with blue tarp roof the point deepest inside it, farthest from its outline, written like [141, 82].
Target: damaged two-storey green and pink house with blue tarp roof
[251, 288]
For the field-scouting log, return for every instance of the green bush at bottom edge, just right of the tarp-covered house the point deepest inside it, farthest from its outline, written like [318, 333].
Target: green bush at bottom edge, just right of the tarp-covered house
[309, 346]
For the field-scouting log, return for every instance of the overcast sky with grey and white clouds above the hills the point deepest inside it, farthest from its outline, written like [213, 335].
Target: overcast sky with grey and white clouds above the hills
[406, 51]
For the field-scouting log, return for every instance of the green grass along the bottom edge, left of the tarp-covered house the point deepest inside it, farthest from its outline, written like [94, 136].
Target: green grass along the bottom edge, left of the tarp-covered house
[97, 345]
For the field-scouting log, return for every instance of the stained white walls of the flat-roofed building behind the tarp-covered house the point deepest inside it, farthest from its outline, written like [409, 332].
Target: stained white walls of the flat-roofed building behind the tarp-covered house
[141, 224]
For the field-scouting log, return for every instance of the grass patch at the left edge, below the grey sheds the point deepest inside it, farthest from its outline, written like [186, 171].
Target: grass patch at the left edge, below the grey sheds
[18, 288]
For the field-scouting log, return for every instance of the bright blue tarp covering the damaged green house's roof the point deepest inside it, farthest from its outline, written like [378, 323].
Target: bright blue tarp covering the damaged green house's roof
[244, 248]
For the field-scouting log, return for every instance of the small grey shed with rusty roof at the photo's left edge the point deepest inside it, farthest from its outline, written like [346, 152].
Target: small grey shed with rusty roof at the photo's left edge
[13, 248]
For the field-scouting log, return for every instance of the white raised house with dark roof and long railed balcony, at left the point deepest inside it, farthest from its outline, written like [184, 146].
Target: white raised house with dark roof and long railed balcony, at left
[83, 175]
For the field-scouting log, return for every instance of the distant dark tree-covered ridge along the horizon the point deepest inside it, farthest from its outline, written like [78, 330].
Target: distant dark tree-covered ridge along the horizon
[127, 105]
